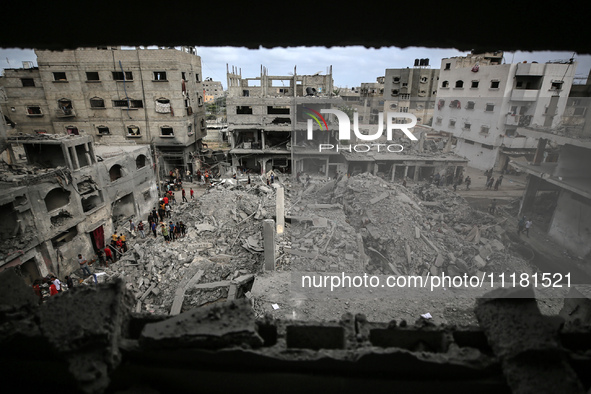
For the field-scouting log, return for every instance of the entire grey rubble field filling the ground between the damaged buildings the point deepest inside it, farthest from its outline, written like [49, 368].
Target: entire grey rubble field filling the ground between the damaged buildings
[361, 224]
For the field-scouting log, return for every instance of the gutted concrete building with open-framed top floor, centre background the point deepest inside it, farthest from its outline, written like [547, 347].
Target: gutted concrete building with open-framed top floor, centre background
[268, 116]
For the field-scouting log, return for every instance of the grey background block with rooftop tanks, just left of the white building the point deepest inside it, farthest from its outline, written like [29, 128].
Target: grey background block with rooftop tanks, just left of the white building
[411, 90]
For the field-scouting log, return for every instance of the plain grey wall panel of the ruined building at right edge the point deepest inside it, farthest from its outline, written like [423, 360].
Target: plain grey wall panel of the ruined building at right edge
[571, 223]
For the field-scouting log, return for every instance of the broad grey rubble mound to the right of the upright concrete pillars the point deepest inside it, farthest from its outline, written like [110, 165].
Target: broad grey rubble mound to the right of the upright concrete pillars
[419, 230]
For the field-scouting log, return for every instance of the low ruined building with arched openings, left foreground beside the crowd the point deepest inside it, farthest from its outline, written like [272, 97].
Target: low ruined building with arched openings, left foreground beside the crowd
[63, 195]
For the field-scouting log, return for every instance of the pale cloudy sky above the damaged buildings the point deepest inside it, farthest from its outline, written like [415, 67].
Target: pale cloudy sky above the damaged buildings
[351, 65]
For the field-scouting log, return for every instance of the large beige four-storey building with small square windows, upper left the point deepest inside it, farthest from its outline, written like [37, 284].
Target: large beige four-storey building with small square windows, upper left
[114, 95]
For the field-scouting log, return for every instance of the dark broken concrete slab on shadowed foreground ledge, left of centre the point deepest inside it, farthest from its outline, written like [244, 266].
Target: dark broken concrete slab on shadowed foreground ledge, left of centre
[211, 327]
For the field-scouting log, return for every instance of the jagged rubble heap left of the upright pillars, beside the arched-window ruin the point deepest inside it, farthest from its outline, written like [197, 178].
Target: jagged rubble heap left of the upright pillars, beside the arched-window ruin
[220, 252]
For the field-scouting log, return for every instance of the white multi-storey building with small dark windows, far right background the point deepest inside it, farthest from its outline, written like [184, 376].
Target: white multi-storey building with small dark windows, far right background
[482, 102]
